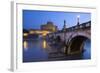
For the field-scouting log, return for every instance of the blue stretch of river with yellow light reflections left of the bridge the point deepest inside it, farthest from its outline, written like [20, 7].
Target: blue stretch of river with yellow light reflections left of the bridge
[35, 50]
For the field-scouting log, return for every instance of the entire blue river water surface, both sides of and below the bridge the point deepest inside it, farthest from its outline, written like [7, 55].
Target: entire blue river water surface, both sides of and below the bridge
[38, 50]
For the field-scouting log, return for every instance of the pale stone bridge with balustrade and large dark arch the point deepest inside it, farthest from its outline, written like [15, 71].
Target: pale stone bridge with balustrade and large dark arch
[74, 37]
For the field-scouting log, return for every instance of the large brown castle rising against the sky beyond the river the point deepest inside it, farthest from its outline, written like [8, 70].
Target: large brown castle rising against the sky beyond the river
[49, 27]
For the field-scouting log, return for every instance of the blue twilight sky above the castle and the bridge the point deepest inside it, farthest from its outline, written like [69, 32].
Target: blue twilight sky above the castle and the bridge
[32, 19]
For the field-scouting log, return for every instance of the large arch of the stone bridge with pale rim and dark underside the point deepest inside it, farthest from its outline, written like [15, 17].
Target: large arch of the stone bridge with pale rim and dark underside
[76, 42]
